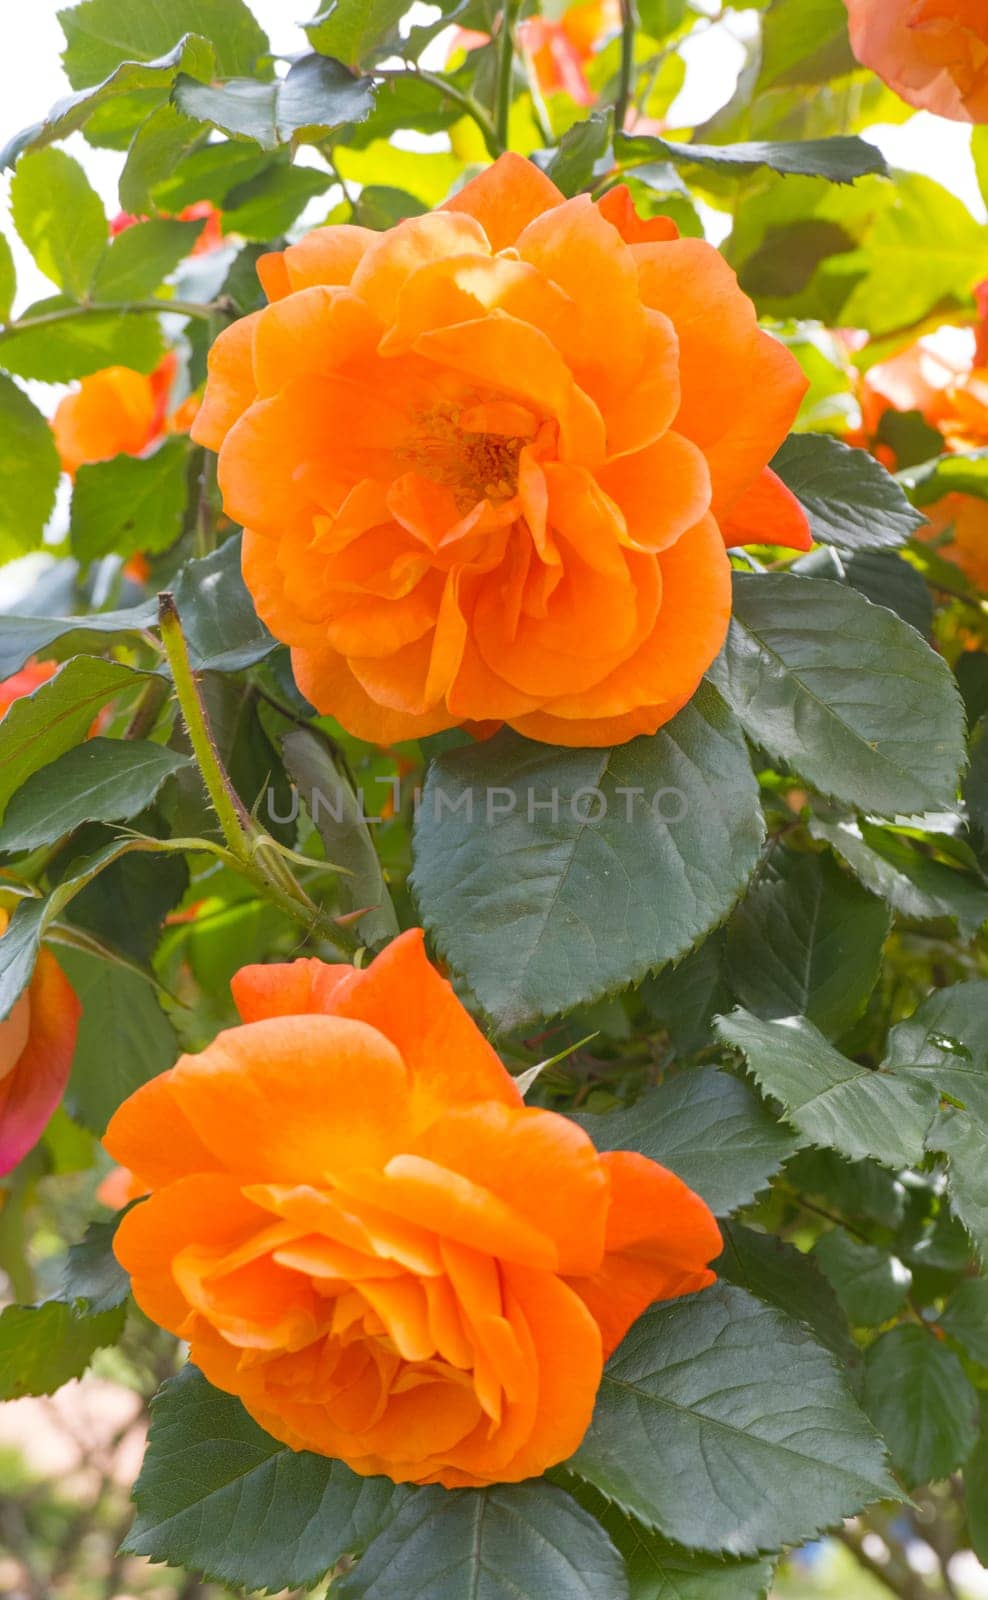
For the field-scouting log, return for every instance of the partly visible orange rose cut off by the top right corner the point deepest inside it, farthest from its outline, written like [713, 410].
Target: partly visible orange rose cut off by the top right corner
[934, 54]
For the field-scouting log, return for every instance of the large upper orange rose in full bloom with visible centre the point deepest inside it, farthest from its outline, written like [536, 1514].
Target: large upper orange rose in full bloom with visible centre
[488, 462]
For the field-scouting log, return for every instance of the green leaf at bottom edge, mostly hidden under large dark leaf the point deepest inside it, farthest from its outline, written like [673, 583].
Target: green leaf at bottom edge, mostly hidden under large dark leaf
[659, 1570]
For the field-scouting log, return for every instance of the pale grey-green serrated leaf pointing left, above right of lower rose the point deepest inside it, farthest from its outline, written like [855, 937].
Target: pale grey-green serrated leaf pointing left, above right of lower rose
[831, 1100]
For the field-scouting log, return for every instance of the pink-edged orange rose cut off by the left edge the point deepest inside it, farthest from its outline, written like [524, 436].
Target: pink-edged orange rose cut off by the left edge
[38, 1042]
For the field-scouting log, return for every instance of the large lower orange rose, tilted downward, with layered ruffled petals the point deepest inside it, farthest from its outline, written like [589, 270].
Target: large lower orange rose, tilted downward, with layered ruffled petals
[367, 1236]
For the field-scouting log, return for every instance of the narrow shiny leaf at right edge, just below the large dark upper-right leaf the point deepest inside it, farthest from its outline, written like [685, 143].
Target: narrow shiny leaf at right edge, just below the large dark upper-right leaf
[912, 882]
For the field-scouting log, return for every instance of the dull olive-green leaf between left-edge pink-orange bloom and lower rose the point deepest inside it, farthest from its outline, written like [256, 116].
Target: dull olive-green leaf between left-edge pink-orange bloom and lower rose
[124, 1038]
